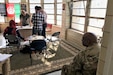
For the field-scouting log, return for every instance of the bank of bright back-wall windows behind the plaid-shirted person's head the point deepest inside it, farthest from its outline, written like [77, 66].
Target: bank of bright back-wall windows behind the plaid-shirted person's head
[53, 8]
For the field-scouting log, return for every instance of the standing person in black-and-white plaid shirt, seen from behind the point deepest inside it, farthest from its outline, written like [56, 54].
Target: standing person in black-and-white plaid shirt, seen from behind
[37, 20]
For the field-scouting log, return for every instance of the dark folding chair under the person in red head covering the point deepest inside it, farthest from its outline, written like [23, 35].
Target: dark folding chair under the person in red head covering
[12, 41]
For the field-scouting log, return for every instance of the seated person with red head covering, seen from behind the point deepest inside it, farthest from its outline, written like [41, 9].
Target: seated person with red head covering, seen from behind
[12, 30]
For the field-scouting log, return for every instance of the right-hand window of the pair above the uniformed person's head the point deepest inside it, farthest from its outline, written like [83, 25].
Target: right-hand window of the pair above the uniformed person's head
[96, 20]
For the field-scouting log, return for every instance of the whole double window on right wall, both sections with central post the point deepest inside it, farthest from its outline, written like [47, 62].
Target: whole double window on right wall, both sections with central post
[95, 21]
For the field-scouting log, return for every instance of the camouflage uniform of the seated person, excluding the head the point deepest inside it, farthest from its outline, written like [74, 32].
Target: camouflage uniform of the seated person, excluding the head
[85, 63]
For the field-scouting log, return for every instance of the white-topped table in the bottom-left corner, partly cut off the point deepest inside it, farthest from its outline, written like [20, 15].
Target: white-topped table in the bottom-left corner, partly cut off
[5, 62]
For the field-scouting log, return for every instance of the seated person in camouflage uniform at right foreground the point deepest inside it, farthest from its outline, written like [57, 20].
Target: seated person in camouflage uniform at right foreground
[85, 63]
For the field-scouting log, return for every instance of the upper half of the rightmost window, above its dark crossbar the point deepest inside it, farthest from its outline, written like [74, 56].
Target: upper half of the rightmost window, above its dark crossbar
[98, 6]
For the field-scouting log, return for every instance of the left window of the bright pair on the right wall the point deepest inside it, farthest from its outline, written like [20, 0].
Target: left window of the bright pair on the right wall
[78, 15]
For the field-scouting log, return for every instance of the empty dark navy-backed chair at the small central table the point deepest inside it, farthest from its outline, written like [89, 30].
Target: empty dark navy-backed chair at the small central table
[38, 46]
